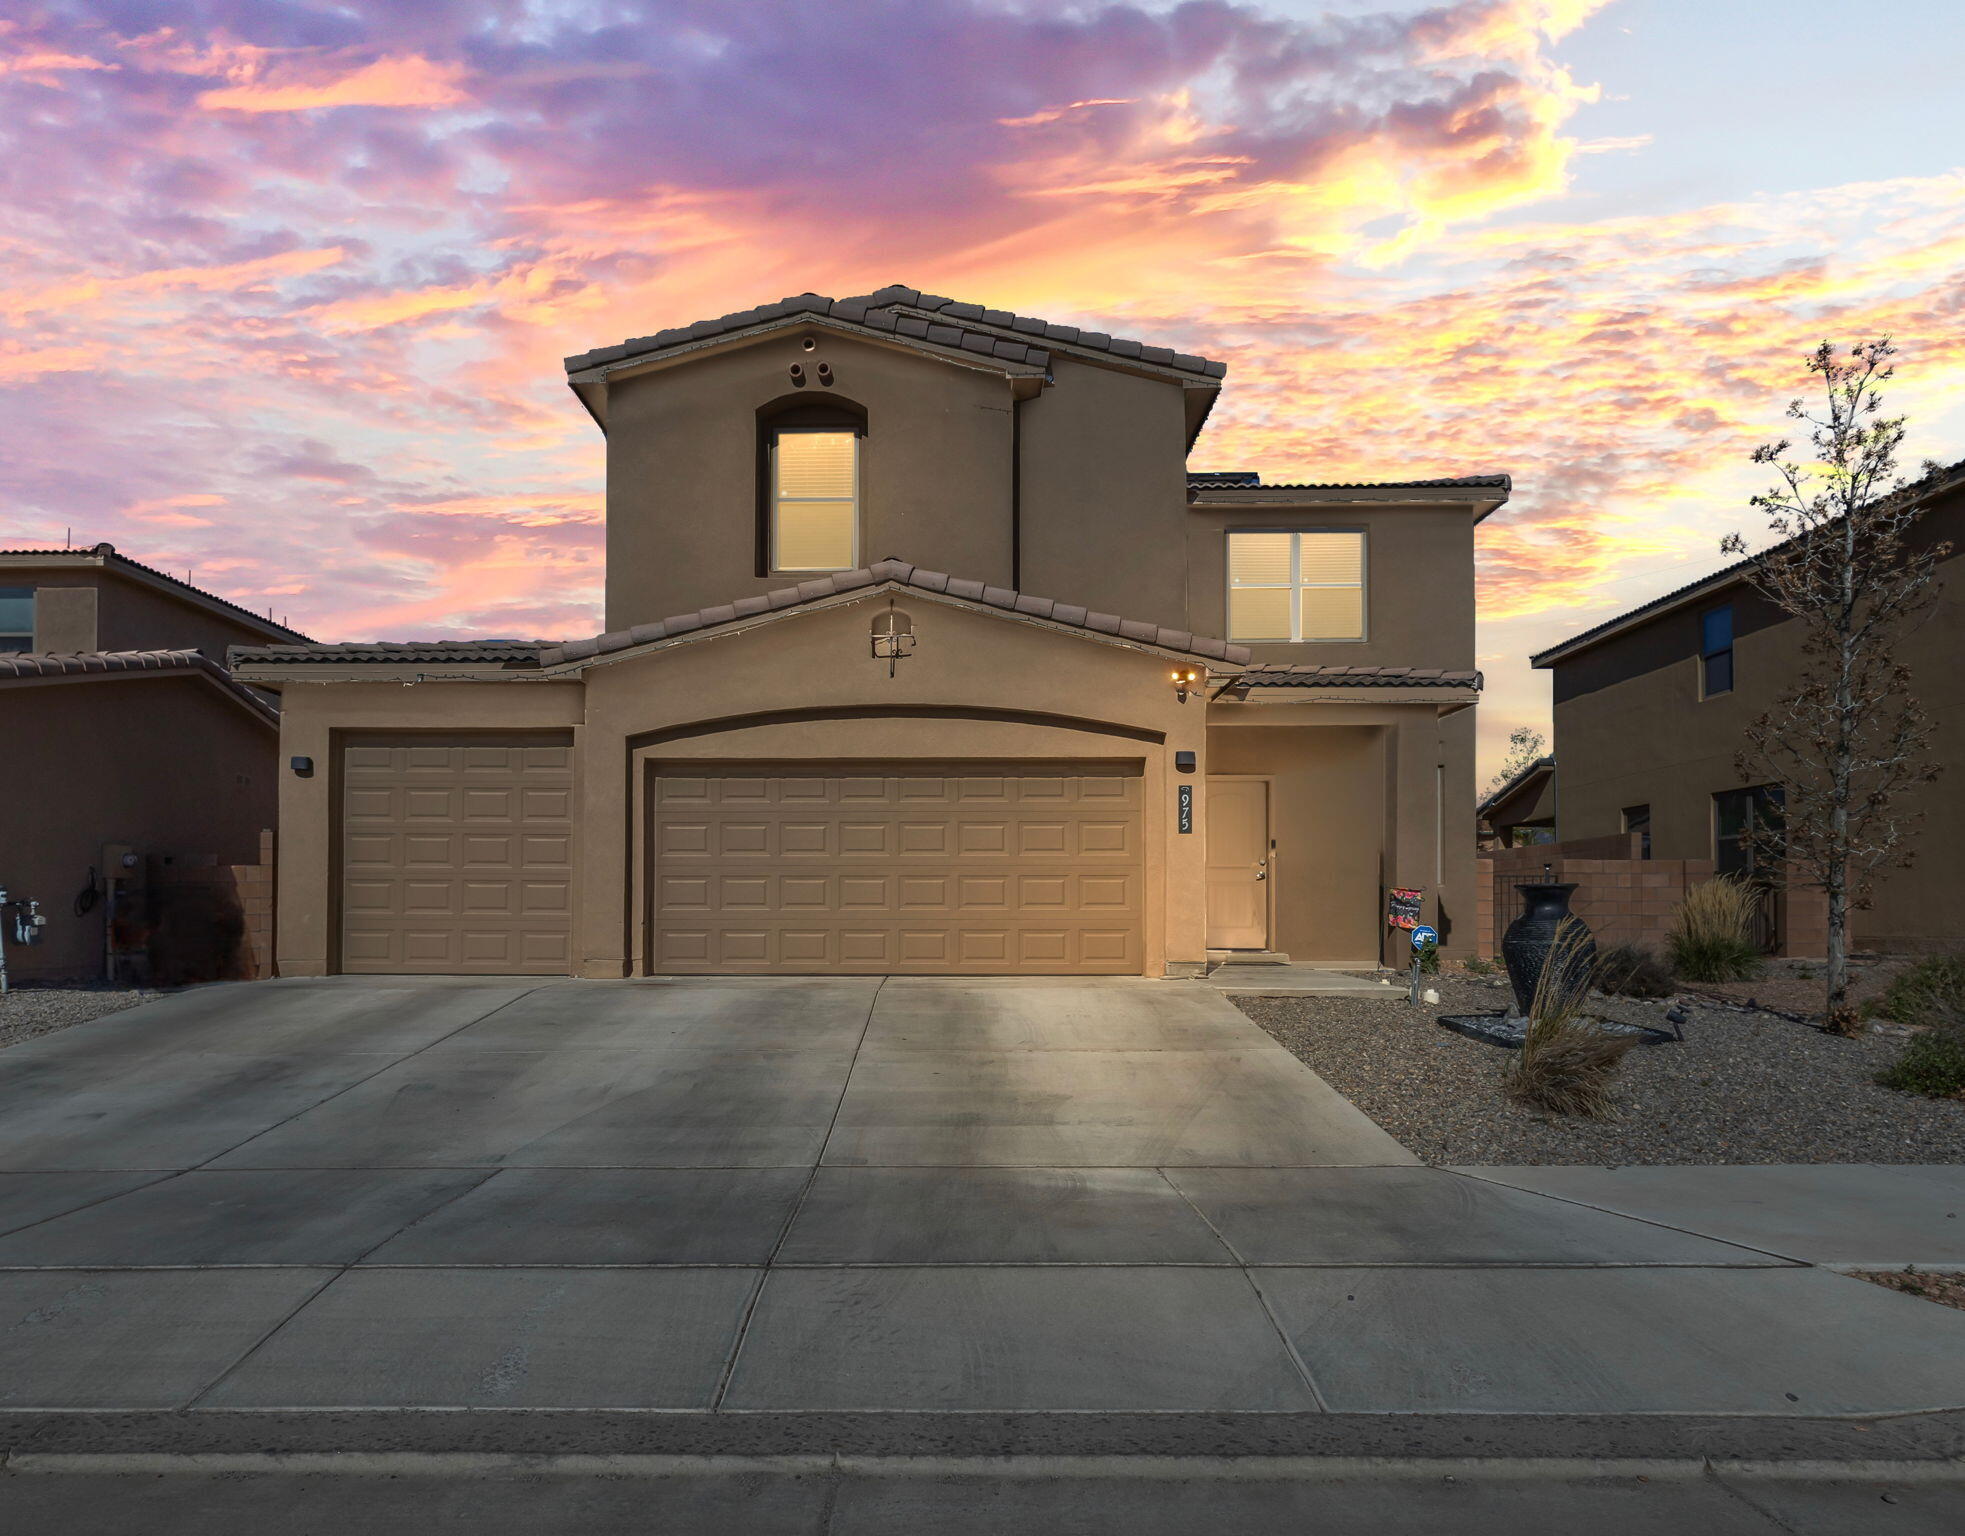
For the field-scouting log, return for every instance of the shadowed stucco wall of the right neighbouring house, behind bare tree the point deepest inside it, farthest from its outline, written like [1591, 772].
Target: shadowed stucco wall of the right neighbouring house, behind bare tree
[1652, 741]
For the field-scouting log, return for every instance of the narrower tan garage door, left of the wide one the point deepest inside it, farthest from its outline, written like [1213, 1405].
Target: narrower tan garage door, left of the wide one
[457, 855]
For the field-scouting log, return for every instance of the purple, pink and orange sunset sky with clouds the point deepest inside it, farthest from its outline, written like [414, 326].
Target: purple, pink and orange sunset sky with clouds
[286, 288]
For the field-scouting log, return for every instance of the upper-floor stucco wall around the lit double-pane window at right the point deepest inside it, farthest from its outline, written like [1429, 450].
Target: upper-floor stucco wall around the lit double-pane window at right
[1420, 582]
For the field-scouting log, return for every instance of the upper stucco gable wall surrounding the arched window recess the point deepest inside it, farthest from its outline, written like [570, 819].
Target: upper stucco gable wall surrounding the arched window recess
[683, 468]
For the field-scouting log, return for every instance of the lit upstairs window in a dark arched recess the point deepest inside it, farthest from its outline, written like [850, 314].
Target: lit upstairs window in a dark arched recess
[811, 486]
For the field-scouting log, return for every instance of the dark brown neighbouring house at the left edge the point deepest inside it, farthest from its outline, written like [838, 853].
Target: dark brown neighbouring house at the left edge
[123, 730]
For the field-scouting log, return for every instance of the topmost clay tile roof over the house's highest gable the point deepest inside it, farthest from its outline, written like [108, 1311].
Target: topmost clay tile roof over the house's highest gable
[958, 325]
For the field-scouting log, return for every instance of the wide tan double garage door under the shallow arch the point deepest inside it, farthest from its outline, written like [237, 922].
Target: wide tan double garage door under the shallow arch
[972, 871]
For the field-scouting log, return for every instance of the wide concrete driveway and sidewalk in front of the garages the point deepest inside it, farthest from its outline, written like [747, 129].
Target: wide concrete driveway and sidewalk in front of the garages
[805, 1197]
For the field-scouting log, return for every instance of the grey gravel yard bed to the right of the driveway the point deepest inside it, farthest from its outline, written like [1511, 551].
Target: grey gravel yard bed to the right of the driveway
[1740, 1089]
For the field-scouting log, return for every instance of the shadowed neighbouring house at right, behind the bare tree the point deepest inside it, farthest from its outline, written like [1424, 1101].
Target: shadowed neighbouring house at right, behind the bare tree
[1652, 710]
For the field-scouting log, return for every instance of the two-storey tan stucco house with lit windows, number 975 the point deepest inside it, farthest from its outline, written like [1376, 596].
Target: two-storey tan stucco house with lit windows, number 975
[832, 726]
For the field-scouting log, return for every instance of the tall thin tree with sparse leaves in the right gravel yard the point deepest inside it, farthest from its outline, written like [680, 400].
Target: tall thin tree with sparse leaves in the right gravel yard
[1846, 740]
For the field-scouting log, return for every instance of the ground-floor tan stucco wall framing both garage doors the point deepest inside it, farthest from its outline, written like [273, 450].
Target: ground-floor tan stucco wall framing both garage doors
[1042, 694]
